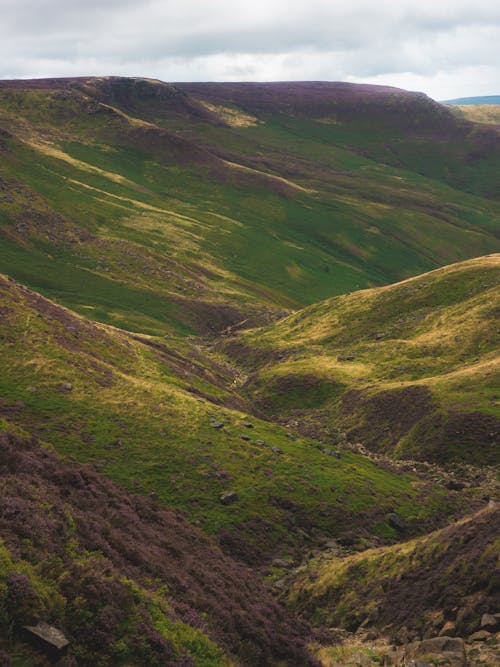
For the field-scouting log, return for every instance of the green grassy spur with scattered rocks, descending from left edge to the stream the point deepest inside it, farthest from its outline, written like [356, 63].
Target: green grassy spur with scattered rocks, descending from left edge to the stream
[160, 418]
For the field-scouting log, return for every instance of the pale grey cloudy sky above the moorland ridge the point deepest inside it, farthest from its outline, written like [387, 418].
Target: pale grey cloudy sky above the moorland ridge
[446, 48]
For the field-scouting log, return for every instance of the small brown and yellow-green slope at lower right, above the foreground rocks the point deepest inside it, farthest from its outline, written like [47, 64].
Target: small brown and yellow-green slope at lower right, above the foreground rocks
[445, 581]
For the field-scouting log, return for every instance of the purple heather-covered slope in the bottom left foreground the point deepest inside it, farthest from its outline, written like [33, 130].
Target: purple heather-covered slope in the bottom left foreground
[127, 581]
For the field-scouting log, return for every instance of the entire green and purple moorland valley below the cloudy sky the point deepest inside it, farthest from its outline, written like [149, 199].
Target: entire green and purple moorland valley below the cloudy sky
[249, 373]
